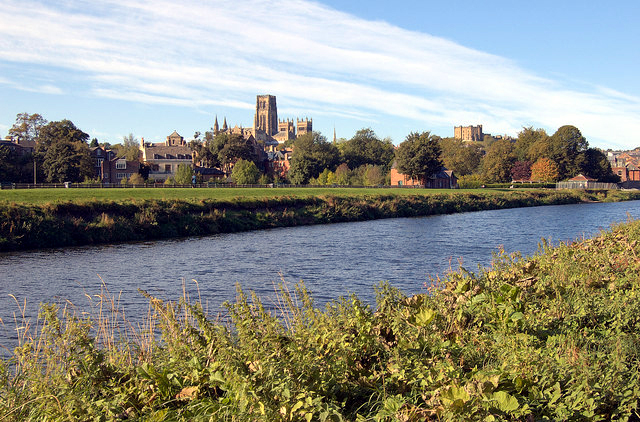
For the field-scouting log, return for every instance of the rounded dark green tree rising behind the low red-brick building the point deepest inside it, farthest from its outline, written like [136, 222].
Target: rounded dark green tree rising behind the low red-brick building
[419, 155]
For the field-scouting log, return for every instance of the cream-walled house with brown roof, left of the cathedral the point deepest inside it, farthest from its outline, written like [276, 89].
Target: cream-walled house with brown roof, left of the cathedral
[163, 159]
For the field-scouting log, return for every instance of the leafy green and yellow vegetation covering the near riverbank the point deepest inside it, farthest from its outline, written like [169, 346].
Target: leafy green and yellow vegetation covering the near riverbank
[552, 337]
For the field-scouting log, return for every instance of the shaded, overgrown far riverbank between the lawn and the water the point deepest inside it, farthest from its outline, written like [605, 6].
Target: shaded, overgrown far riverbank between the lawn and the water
[86, 222]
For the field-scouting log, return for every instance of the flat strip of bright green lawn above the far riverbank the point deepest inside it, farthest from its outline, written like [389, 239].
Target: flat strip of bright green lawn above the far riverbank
[39, 196]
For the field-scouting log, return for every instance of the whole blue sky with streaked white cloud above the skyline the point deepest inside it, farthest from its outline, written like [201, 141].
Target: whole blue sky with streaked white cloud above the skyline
[149, 67]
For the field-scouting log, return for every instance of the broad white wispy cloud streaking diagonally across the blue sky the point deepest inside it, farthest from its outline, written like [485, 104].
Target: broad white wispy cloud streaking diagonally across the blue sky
[226, 51]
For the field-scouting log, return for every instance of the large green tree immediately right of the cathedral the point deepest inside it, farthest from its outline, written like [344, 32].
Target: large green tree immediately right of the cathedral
[311, 155]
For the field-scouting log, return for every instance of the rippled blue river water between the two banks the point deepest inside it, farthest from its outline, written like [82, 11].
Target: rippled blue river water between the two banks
[333, 260]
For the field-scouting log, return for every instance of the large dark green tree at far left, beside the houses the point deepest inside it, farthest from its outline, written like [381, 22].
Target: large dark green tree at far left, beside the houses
[63, 152]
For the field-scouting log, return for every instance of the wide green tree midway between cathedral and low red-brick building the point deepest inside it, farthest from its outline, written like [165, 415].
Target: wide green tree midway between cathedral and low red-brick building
[366, 148]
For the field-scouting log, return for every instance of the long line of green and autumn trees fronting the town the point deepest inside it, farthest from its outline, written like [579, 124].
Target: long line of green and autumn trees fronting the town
[62, 153]
